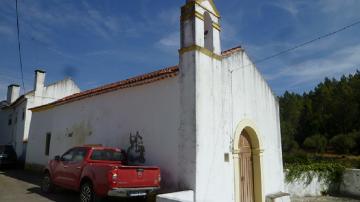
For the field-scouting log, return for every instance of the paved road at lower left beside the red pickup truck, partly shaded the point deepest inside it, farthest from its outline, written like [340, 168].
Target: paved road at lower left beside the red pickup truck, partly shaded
[24, 186]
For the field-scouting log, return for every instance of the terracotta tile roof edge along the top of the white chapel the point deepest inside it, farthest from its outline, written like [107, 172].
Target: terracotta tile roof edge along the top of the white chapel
[135, 81]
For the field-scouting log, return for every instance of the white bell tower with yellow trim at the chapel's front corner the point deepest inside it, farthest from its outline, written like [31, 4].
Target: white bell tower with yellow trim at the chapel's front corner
[201, 91]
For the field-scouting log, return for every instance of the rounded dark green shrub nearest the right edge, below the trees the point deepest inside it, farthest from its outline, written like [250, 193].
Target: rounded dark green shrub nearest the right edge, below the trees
[343, 143]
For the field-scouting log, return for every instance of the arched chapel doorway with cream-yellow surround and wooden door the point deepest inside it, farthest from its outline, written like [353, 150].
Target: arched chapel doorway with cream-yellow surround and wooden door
[248, 163]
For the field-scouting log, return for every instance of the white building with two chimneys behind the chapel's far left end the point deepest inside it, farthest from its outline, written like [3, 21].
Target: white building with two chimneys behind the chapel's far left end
[15, 116]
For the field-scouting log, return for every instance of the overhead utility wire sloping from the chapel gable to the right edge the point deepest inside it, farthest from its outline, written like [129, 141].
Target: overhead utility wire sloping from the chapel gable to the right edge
[302, 44]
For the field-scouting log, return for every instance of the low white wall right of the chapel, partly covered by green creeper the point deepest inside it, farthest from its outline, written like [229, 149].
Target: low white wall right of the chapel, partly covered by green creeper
[350, 186]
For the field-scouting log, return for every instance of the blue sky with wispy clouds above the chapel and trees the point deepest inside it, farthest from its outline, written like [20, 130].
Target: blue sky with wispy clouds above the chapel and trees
[101, 41]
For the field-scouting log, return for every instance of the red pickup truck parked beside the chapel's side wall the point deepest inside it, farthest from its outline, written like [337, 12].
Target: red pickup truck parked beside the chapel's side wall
[98, 172]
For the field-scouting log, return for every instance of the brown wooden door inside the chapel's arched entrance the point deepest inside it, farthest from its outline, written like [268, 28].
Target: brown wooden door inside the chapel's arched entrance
[246, 169]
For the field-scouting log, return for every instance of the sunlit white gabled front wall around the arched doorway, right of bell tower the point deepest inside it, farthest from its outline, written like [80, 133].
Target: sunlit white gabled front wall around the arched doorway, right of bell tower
[247, 97]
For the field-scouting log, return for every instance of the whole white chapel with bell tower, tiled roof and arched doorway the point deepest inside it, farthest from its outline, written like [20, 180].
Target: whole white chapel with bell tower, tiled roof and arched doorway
[211, 123]
